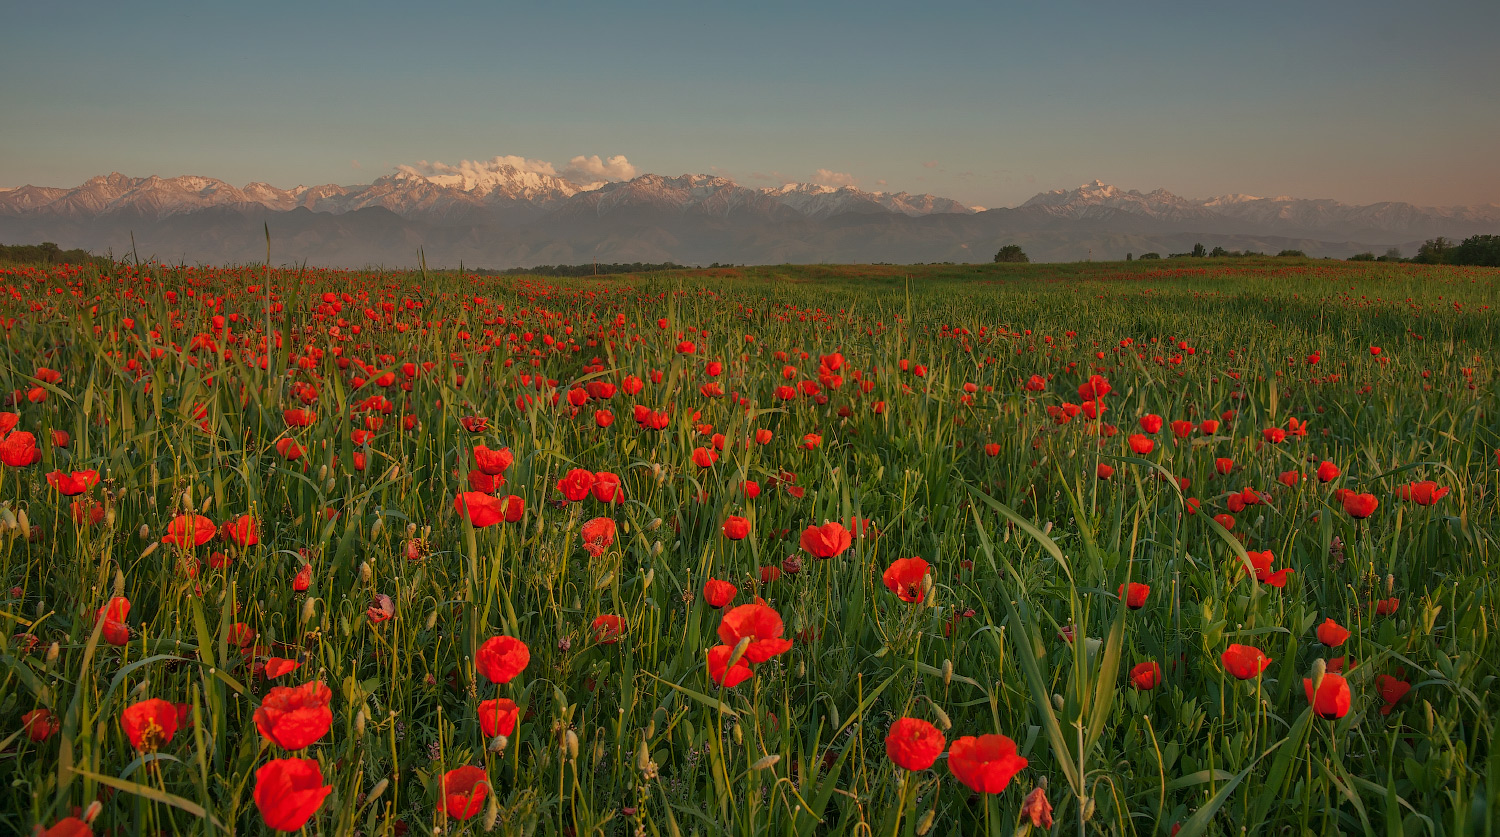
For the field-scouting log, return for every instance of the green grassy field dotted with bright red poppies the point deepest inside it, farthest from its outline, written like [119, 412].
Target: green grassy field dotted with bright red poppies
[1156, 548]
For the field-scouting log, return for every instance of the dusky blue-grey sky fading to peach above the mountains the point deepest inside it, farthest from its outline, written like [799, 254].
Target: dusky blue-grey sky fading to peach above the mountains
[977, 101]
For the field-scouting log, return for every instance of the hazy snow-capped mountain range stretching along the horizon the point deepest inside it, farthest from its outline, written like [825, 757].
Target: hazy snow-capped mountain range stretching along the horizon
[509, 217]
